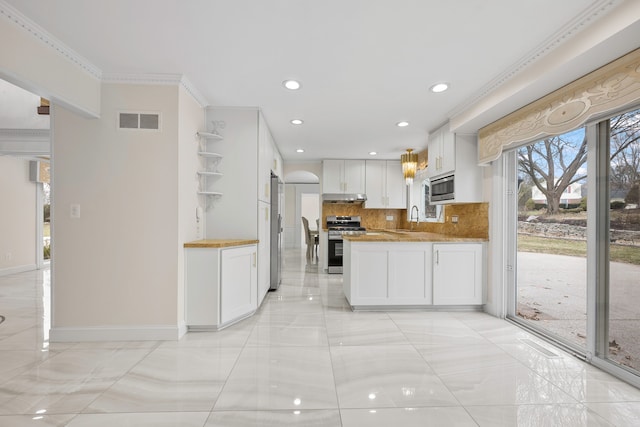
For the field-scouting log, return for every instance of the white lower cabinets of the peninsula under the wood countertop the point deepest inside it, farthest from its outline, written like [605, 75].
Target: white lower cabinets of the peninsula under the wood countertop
[412, 274]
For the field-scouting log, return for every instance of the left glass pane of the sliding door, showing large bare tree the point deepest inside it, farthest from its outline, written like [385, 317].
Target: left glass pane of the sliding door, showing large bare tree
[551, 273]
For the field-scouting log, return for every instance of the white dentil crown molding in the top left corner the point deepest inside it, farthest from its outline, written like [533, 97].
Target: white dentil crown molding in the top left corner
[17, 18]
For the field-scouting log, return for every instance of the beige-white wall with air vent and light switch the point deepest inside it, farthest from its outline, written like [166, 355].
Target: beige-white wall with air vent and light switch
[115, 269]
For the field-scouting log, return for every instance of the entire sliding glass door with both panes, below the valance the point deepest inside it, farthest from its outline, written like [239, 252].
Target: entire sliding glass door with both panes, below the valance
[575, 240]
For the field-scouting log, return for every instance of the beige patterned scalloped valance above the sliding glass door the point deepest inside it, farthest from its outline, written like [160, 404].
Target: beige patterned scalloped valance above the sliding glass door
[603, 91]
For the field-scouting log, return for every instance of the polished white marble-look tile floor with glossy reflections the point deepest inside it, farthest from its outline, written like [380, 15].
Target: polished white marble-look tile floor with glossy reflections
[304, 359]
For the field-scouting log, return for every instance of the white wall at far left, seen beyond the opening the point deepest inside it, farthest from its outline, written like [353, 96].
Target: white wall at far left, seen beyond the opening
[17, 216]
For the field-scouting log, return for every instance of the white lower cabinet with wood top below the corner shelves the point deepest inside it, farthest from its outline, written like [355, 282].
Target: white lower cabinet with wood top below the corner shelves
[220, 286]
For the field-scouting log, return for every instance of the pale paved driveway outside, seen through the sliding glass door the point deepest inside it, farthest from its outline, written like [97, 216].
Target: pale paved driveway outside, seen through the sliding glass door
[552, 294]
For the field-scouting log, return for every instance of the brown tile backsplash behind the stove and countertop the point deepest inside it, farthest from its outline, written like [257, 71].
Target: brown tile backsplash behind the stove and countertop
[473, 219]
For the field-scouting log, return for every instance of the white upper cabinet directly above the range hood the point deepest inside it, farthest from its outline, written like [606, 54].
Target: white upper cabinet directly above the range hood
[343, 176]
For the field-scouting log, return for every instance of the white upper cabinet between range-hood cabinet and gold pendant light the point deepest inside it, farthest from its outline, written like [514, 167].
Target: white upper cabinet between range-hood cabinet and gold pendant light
[384, 185]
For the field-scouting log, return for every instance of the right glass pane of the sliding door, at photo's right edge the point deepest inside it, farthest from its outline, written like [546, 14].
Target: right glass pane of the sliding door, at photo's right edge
[622, 292]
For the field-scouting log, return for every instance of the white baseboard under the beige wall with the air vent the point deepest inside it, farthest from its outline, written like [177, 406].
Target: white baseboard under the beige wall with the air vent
[118, 333]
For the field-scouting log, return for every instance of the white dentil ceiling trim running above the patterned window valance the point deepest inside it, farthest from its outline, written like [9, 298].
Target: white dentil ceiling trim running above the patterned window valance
[597, 10]
